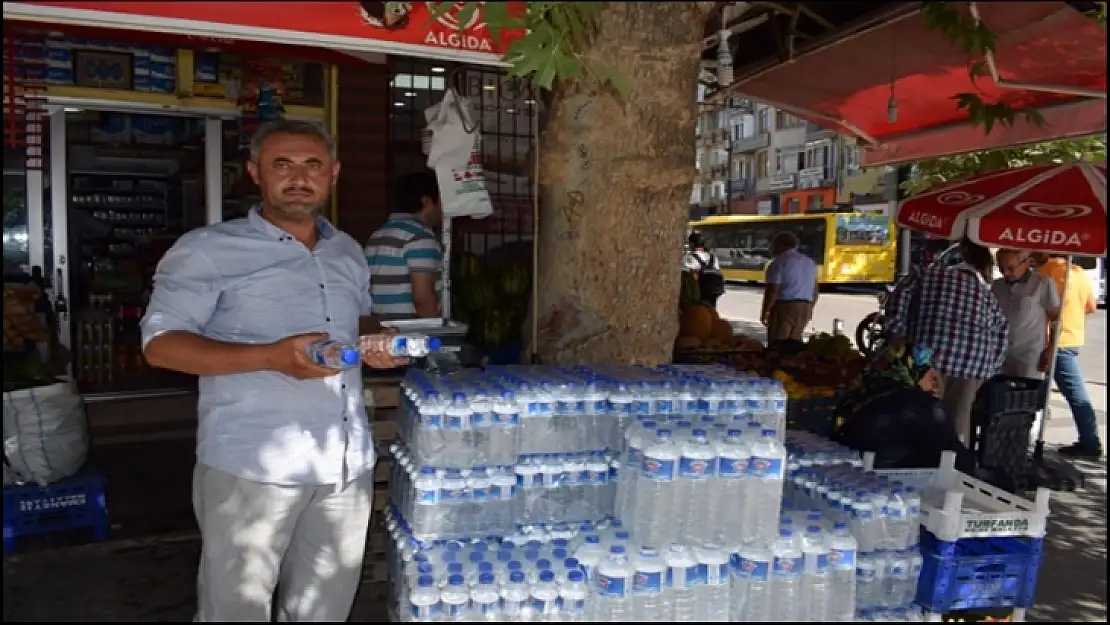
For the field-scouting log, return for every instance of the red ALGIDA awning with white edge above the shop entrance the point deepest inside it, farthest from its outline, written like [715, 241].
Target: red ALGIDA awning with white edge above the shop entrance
[359, 27]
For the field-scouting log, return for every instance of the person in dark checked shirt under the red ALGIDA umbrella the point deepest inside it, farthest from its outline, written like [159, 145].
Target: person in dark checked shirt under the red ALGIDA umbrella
[953, 311]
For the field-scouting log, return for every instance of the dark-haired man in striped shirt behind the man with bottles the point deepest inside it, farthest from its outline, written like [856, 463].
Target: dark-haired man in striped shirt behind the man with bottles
[405, 256]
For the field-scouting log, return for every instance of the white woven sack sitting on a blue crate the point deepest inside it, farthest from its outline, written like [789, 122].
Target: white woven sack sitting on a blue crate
[46, 435]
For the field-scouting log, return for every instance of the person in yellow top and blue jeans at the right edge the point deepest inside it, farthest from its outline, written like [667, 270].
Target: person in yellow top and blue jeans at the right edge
[1076, 305]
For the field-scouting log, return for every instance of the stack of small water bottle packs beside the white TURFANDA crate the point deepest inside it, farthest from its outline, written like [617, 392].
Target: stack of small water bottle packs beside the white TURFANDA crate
[861, 537]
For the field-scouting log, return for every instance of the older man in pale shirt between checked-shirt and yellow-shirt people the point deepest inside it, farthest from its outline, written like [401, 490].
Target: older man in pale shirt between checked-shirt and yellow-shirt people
[1032, 306]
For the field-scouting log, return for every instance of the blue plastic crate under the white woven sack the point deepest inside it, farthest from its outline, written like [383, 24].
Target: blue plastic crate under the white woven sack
[76, 502]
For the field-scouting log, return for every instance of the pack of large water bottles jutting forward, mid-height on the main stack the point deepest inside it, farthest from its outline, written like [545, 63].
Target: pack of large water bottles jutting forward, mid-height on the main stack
[712, 477]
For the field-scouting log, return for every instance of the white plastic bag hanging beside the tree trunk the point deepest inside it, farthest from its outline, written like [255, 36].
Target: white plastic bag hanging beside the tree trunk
[456, 155]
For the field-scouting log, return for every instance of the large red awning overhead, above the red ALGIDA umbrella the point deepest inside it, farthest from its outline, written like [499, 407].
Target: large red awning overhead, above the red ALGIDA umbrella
[847, 85]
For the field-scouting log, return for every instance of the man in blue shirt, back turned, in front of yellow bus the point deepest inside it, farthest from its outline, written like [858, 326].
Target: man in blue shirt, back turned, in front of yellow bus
[792, 290]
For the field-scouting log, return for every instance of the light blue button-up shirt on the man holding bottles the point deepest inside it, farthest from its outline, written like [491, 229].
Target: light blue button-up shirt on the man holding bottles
[248, 281]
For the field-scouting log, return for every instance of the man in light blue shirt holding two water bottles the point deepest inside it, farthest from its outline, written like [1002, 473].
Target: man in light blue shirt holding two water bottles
[284, 485]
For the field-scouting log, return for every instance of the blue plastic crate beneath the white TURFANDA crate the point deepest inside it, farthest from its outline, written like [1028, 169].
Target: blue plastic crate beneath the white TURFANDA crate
[978, 573]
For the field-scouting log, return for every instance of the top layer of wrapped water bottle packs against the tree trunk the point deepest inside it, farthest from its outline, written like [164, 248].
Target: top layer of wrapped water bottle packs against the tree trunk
[495, 417]
